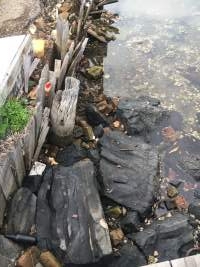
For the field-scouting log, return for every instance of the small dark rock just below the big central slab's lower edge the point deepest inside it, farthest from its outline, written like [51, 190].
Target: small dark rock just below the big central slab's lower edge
[131, 222]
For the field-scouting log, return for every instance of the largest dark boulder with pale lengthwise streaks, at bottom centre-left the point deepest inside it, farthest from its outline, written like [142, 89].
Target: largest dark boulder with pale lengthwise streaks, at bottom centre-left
[69, 213]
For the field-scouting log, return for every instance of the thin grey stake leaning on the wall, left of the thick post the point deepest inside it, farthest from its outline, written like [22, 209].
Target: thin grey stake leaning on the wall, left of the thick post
[43, 133]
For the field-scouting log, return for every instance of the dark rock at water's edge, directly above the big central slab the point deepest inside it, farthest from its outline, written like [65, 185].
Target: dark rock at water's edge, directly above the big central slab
[140, 115]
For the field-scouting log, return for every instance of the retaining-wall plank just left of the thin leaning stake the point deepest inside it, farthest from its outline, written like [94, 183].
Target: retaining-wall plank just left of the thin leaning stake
[29, 143]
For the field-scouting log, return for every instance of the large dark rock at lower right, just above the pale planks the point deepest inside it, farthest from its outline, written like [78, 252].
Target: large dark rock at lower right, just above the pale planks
[169, 237]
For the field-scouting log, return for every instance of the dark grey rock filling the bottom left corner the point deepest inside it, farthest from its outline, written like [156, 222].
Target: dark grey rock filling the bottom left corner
[9, 252]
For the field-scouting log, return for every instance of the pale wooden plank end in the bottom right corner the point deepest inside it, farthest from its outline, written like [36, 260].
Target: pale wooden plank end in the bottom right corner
[192, 261]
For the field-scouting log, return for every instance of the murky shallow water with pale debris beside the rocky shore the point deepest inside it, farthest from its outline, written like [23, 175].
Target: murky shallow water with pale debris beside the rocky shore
[157, 53]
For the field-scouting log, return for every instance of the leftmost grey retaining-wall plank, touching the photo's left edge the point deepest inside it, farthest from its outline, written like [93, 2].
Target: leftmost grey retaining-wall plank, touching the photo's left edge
[7, 180]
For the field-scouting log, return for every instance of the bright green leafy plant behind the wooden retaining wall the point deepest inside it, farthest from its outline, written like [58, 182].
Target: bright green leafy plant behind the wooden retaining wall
[14, 116]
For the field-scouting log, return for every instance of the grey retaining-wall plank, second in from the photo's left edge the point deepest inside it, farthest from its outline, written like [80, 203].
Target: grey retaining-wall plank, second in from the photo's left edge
[17, 163]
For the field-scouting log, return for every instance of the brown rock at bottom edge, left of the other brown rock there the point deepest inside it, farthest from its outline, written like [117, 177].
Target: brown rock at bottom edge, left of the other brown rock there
[30, 258]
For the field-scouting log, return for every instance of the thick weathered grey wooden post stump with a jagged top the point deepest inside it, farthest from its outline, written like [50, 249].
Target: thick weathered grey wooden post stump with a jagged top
[63, 110]
